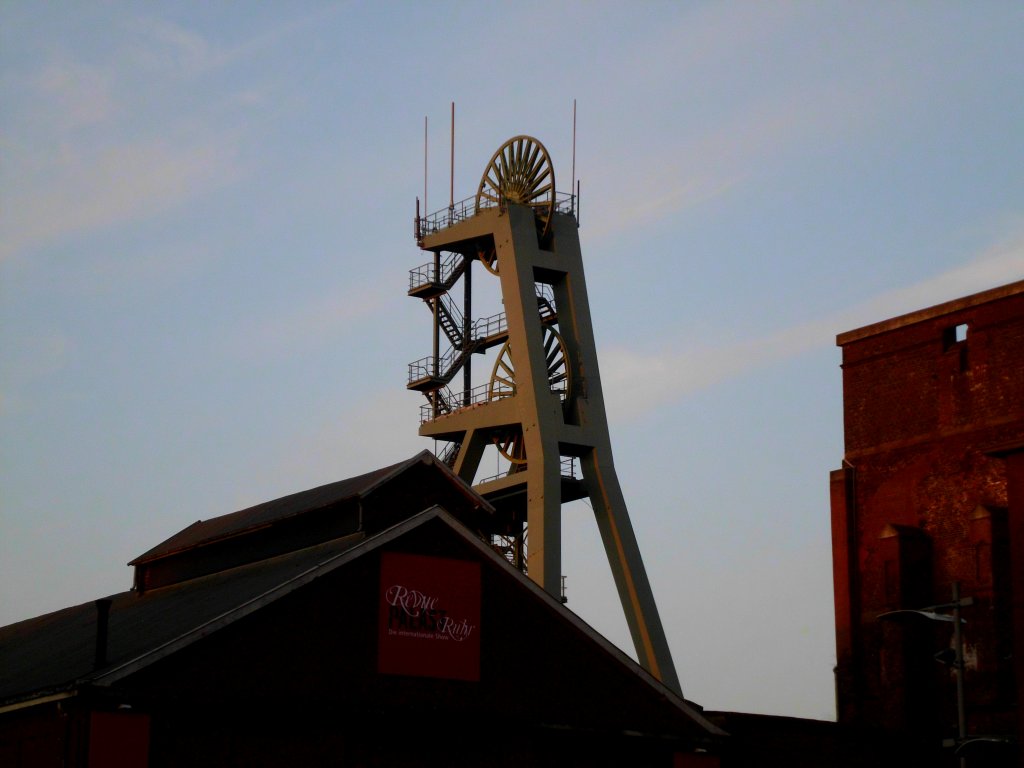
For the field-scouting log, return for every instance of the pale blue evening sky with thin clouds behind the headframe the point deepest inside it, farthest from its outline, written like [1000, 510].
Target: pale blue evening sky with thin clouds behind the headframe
[206, 229]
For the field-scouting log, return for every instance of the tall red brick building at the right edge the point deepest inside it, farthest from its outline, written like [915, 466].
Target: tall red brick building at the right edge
[931, 493]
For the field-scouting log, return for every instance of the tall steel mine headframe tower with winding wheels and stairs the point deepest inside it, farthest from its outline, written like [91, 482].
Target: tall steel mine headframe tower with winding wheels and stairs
[543, 408]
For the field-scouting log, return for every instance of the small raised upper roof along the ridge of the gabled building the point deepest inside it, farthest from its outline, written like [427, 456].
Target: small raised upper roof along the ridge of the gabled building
[268, 514]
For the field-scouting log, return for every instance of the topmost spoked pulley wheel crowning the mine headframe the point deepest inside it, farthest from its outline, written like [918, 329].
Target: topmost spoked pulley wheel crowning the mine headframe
[521, 173]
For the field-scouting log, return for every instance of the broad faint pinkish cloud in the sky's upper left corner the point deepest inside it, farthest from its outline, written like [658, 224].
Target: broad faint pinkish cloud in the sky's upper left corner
[91, 146]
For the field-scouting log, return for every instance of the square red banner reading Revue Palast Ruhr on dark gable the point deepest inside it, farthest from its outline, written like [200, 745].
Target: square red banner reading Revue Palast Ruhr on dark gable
[430, 617]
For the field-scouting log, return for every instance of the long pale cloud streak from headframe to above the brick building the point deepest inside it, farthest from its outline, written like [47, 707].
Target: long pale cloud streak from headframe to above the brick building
[669, 378]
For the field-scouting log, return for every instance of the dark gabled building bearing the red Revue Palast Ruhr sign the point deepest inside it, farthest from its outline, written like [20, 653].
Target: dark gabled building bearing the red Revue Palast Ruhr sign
[366, 623]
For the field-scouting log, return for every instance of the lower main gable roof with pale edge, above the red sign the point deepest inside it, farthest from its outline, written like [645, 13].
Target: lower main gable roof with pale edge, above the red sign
[55, 654]
